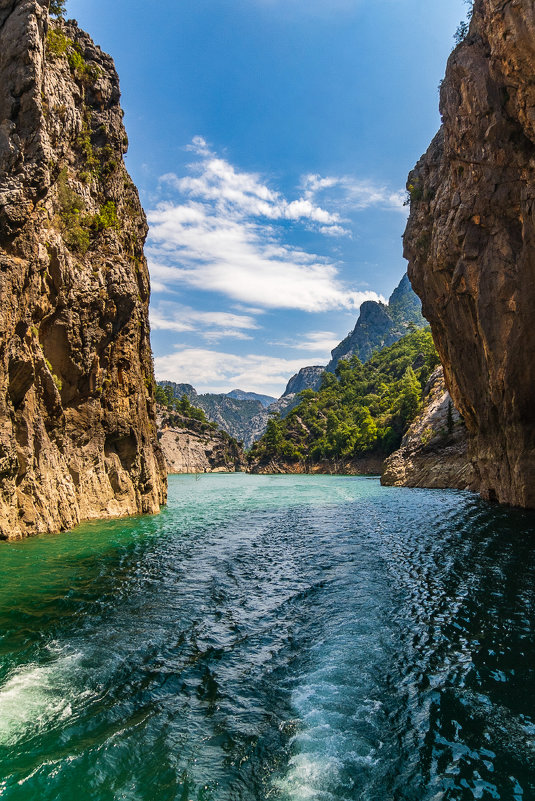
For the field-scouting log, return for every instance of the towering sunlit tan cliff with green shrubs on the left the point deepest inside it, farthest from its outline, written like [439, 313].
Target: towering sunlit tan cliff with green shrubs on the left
[77, 424]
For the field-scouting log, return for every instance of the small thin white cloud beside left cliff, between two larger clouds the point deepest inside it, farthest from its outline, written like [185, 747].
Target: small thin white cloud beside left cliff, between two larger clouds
[211, 326]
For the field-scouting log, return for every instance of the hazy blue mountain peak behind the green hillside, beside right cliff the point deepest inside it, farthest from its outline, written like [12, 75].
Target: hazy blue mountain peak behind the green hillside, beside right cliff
[379, 325]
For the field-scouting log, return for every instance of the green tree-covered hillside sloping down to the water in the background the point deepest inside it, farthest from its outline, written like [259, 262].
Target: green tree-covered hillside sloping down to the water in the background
[361, 409]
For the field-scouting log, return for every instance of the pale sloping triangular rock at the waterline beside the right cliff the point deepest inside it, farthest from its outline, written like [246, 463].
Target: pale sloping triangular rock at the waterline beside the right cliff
[434, 451]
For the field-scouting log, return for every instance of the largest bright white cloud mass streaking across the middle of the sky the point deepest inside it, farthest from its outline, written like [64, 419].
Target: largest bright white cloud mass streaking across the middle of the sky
[223, 231]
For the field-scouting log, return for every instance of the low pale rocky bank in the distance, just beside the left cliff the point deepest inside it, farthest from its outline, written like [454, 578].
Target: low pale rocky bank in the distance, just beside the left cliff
[189, 447]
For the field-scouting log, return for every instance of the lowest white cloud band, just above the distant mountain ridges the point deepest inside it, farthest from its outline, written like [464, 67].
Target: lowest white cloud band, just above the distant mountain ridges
[214, 371]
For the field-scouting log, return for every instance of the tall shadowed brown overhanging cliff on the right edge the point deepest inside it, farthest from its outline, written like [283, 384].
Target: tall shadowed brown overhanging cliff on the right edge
[470, 242]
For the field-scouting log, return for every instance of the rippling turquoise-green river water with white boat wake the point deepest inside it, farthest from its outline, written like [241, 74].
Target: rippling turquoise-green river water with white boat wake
[273, 637]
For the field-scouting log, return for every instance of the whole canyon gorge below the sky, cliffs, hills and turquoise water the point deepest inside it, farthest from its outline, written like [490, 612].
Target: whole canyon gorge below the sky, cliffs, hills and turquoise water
[326, 636]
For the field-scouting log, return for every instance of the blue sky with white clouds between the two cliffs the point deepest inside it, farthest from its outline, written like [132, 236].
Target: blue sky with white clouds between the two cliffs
[270, 141]
